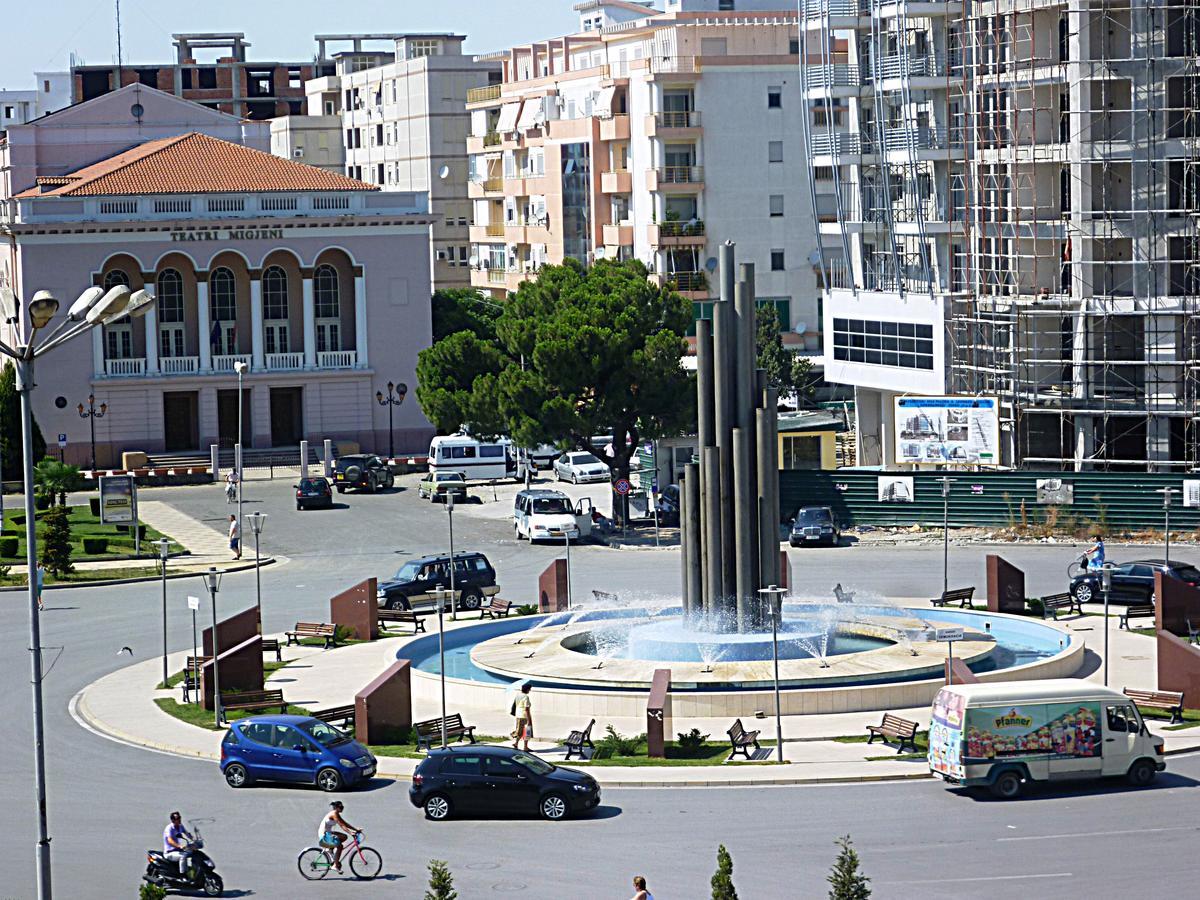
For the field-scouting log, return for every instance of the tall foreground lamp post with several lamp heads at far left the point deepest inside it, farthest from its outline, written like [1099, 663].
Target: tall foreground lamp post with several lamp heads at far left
[94, 308]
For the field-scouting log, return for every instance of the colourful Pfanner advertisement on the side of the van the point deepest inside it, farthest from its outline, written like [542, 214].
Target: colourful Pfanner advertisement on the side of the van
[1053, 730]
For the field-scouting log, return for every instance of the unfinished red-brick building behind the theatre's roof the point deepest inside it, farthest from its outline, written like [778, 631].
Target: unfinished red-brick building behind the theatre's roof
[214, 70]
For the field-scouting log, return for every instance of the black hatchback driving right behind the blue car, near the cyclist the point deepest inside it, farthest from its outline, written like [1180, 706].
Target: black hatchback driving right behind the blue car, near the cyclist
[481, 779]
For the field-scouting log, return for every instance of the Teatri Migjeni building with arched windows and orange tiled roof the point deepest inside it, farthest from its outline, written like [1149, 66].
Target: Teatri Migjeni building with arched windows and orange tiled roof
[317, 283]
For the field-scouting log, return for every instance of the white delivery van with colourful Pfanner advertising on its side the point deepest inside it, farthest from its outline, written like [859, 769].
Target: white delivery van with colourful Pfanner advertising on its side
[1006, 735]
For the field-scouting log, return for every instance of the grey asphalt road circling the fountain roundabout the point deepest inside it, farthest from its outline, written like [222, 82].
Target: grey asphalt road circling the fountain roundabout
[109, 802]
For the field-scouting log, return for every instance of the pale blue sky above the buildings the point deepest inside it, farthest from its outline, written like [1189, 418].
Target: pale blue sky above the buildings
[44, 35]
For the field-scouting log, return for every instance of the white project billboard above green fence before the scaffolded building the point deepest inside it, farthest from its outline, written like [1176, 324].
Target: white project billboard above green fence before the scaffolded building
[938, 431]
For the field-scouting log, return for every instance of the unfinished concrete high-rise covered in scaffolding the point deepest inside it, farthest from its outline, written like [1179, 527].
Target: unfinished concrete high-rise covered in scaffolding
[1018, 217]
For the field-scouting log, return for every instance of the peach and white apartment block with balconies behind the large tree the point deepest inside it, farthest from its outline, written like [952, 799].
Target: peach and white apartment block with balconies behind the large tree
[653, 136]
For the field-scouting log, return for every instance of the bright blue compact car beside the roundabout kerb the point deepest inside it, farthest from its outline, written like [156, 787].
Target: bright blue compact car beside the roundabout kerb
[293, 748]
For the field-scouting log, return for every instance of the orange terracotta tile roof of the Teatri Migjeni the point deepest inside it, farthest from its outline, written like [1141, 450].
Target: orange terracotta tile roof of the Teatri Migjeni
[193, 164]
